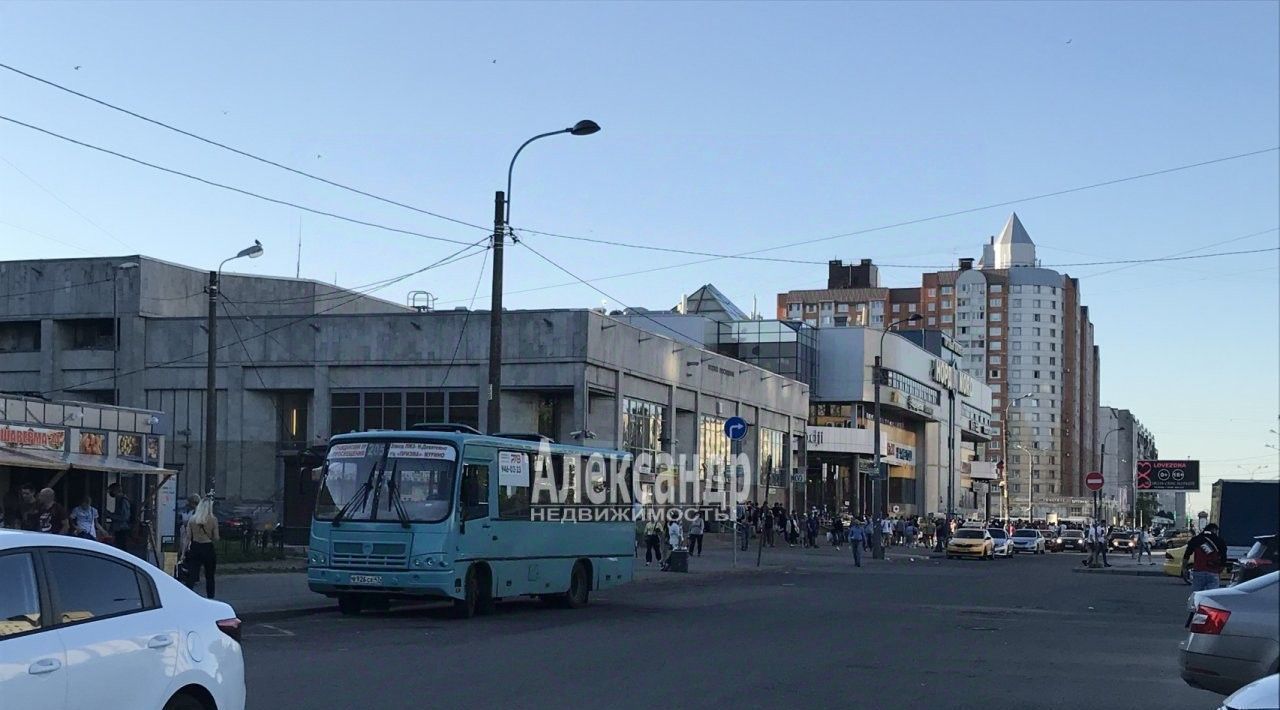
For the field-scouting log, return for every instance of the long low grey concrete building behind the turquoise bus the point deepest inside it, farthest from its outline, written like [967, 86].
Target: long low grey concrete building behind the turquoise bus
[300, 361]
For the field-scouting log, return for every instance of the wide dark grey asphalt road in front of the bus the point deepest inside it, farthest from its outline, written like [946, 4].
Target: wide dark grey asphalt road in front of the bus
[1021, 634]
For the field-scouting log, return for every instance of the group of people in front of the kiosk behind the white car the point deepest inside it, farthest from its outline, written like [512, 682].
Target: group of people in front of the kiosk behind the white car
[40, 512]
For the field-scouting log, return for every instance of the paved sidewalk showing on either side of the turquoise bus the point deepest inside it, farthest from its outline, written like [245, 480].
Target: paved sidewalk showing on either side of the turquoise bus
[278, 589]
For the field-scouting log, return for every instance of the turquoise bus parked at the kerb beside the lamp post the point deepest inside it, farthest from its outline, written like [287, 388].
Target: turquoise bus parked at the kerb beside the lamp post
[446, 512]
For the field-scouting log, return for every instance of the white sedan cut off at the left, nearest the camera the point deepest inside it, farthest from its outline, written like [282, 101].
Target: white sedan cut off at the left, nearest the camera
[84, 625]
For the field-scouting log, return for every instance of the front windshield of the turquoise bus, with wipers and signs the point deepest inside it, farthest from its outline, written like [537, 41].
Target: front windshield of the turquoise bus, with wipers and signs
[404, 483]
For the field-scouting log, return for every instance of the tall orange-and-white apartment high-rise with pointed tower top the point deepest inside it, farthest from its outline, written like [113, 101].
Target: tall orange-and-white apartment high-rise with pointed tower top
[1018, 328]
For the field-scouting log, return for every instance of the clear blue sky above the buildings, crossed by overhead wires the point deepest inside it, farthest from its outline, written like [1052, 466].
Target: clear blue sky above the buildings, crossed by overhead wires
[728, 127]
